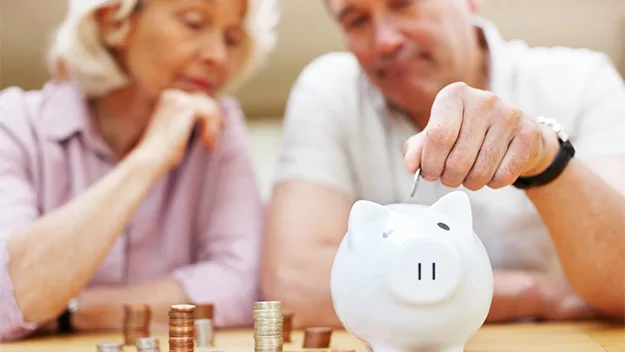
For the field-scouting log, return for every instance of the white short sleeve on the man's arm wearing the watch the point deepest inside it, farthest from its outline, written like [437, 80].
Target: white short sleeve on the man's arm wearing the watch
[600, 129]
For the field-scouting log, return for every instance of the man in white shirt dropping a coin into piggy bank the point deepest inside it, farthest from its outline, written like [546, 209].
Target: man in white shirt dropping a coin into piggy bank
[429, 85]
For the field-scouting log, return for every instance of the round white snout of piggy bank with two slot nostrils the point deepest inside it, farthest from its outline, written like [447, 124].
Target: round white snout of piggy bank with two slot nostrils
[425, 271]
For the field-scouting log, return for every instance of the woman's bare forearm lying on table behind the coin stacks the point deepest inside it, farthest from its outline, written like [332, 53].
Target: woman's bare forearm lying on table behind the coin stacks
[101, 308]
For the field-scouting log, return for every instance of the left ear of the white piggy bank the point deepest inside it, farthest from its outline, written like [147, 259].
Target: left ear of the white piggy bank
[365, 219]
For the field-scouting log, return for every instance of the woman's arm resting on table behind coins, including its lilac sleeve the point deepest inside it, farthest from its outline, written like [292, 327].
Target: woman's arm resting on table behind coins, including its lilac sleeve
[226, 272]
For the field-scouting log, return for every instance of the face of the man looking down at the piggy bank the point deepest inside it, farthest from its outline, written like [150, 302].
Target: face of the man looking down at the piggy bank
[410, 49]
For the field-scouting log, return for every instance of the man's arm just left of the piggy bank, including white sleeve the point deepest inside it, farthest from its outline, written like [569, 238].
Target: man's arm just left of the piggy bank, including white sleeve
[307, 213]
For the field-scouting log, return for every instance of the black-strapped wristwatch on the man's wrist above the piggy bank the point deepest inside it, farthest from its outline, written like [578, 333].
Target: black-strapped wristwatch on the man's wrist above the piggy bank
[565, 154]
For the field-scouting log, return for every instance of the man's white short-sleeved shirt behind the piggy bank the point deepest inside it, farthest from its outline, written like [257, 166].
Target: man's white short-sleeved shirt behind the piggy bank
[338, 134]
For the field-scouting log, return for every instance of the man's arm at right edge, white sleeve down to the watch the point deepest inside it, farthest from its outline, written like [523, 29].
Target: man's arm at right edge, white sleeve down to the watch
[584, 208]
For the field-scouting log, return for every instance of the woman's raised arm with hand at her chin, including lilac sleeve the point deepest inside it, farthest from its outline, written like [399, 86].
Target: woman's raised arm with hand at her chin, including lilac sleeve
[46, 260]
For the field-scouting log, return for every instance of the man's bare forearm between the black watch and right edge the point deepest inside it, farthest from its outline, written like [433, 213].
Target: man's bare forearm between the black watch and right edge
[586, 219]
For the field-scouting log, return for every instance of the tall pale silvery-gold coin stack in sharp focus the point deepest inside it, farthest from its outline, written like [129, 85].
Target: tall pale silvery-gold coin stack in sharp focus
[268, 326]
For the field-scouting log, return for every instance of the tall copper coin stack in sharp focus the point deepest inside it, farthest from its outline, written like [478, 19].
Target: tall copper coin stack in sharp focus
[181, 331]
